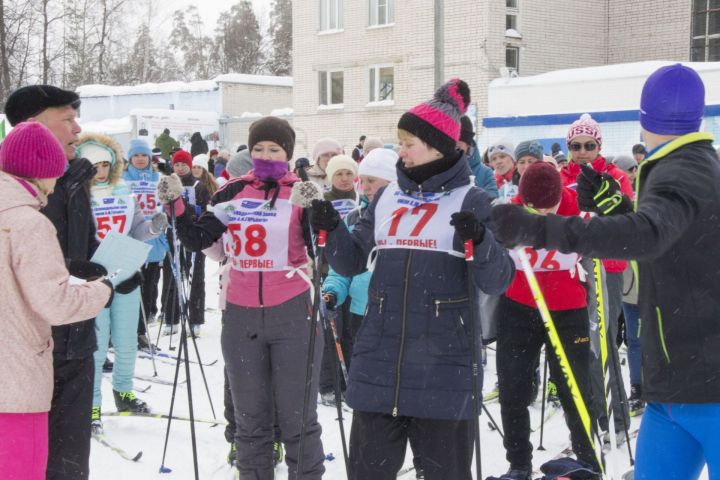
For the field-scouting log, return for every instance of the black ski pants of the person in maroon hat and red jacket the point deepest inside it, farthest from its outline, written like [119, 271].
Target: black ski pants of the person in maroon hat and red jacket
[520, 336]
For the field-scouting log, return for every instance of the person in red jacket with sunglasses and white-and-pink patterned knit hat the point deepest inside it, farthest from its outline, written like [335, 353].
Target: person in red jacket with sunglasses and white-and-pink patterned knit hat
[584, 142]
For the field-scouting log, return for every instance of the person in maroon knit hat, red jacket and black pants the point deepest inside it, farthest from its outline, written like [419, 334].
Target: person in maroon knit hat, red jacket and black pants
[521, 332]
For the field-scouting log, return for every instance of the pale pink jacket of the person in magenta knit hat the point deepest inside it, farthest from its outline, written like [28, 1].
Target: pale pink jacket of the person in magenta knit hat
[35, 294]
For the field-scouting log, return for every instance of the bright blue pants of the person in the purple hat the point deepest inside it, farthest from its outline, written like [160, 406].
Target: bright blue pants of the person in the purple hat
[676, 440]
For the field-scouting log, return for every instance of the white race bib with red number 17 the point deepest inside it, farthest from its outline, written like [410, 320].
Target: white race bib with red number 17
[419, 221]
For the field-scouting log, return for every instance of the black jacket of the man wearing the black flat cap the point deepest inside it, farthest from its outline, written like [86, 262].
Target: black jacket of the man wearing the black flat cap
[69, 210]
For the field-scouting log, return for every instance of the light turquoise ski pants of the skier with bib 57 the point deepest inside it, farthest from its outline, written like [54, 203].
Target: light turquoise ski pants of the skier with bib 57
[118, 322]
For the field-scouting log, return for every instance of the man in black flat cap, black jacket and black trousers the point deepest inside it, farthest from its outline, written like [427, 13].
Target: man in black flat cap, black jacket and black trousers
[69, 210]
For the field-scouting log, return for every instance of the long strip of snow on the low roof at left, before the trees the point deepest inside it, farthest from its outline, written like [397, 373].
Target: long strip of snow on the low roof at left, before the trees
[169, 87]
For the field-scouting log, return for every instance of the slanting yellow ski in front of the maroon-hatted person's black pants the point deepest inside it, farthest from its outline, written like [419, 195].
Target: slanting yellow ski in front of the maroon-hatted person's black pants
[557, 345]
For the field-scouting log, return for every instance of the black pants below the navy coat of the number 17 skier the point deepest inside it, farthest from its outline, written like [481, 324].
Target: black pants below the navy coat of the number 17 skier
[378, 443]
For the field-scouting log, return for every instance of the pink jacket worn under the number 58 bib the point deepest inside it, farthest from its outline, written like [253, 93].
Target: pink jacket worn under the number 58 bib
[245, 288]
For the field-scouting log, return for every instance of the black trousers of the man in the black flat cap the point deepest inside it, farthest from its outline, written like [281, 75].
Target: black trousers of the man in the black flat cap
[69, 419]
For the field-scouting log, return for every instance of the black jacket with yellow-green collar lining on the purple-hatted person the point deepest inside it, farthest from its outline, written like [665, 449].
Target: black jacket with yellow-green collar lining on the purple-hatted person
[675, 237]
